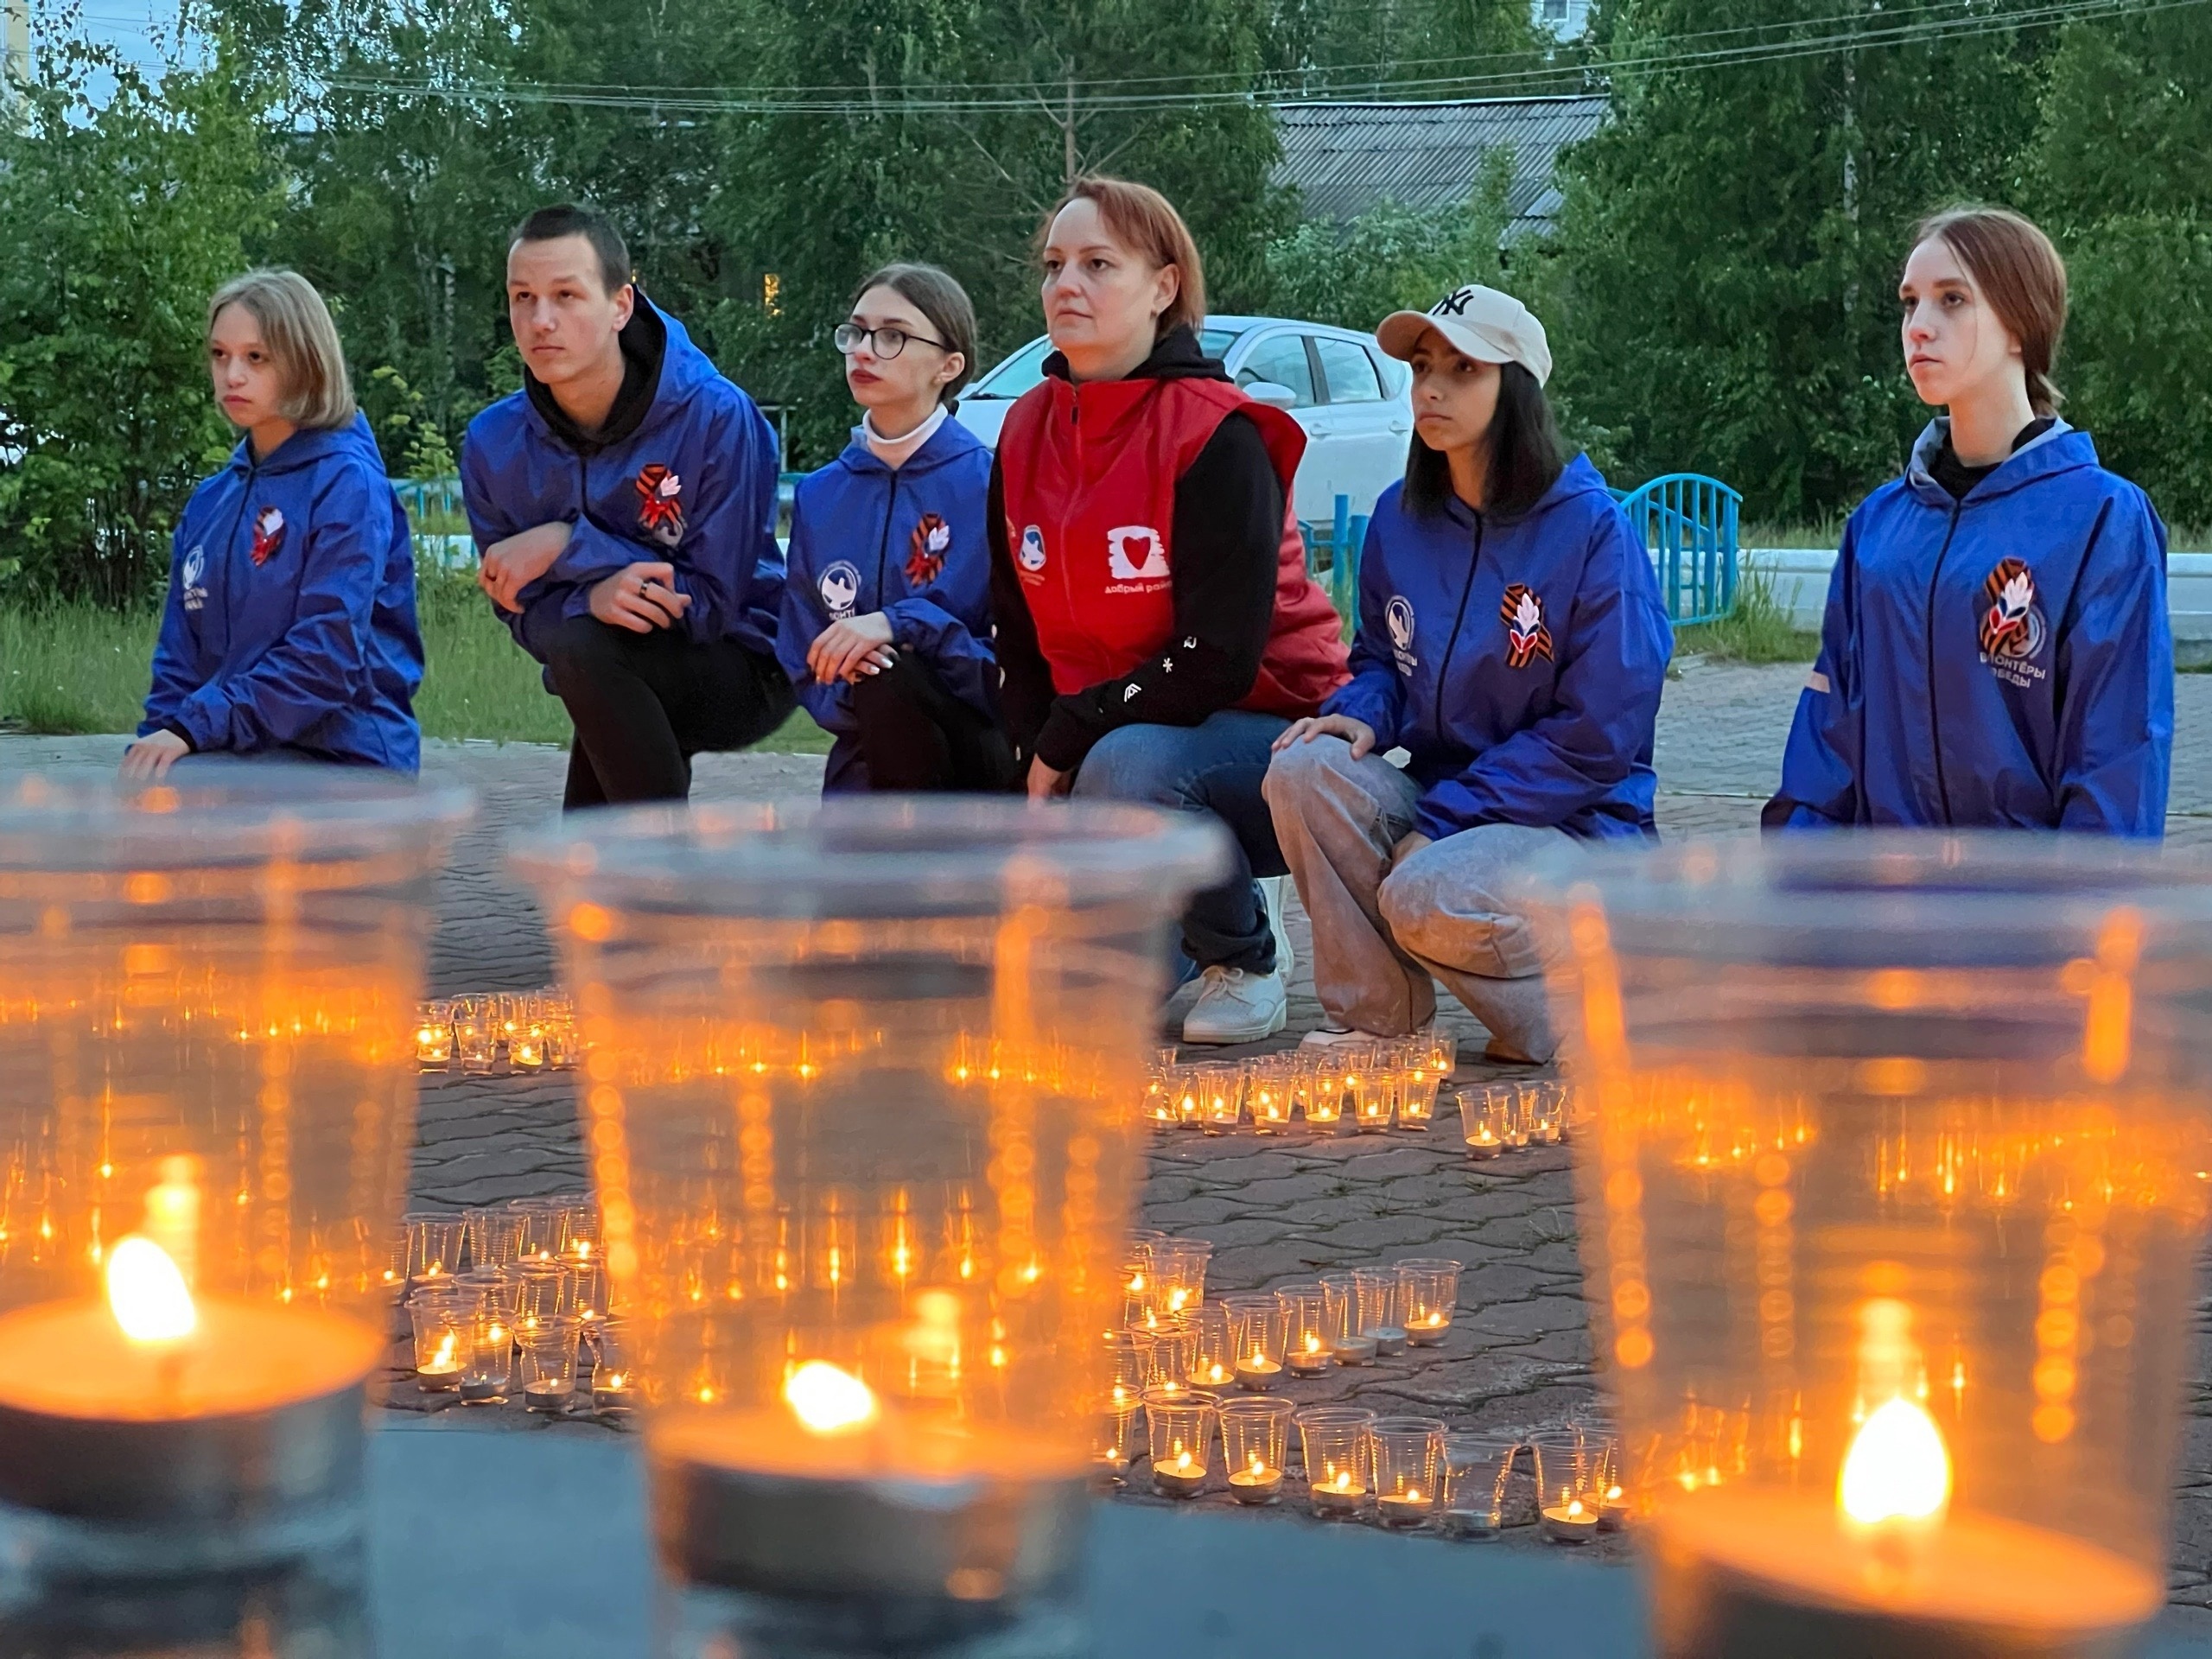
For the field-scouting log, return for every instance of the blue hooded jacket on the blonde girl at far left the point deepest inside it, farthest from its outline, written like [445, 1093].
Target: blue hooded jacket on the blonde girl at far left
[291, 614]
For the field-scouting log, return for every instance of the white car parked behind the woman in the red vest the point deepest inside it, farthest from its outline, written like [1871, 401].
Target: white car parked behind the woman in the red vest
[1350, 399]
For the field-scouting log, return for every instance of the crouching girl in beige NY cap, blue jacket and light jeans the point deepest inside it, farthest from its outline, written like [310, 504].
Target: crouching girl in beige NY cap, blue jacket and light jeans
[1512, 640]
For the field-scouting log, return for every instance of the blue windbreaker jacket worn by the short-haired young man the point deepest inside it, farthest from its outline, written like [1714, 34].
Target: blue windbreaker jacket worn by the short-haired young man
[693, 488]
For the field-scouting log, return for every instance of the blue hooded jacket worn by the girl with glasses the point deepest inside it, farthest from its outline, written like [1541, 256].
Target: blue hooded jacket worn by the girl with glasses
[908, 543]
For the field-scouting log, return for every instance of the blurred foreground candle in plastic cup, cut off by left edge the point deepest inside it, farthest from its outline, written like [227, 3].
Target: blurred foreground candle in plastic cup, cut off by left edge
[209, 1003]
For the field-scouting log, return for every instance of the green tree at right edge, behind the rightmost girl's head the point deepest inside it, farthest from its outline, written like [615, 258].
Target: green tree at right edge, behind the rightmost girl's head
[2122, 185]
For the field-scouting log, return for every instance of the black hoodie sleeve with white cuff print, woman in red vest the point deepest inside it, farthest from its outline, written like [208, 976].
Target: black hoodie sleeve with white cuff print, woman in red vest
[1224, 543]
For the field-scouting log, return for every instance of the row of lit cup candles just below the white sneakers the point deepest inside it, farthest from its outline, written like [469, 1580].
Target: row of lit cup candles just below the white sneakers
[1370, 1085]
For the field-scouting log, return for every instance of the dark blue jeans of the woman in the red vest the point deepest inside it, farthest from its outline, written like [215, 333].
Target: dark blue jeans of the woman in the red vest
[1213, 766]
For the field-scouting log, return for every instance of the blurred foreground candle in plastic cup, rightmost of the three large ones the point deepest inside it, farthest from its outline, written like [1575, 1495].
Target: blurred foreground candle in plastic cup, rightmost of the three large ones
[1888, 1160]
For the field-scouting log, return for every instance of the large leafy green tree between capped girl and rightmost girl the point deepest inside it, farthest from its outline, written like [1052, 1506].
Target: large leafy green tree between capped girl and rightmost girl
[1720, 295]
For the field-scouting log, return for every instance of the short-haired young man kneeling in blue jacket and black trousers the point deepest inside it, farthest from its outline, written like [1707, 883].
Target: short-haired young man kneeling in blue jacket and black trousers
[625, 505]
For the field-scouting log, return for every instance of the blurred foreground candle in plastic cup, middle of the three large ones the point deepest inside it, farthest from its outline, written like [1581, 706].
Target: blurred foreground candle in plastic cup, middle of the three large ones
[886, 1452]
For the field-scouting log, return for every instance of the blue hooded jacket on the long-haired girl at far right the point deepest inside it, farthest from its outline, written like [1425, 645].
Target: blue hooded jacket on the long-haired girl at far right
[1999, 660]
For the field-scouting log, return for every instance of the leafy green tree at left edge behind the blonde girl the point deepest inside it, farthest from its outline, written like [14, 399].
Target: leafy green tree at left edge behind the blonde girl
[123, 216]
